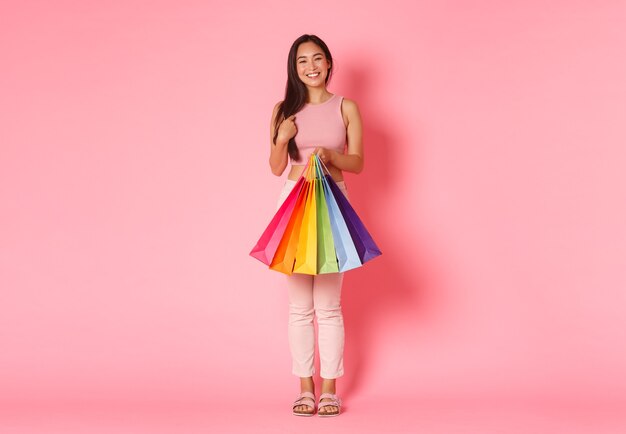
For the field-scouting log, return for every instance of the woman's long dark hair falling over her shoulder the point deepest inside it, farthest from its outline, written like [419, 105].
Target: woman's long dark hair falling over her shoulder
[295, 90]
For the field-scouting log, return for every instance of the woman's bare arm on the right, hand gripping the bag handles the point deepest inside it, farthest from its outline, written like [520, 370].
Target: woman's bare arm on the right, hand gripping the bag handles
[352, 161]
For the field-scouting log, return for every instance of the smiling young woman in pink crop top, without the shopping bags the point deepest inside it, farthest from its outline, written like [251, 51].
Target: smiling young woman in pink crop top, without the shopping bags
[309, 120]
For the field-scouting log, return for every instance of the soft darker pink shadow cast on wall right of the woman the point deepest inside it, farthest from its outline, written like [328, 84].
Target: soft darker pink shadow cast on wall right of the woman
[392, 284]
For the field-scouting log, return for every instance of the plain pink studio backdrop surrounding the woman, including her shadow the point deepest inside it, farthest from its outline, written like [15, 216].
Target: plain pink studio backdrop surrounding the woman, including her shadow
[134, 180]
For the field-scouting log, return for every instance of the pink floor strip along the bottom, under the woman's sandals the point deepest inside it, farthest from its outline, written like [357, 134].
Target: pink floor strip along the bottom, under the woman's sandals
[447, 415]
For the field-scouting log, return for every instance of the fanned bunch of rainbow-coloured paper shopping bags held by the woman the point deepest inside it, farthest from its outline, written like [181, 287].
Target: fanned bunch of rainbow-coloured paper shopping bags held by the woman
[316, 230]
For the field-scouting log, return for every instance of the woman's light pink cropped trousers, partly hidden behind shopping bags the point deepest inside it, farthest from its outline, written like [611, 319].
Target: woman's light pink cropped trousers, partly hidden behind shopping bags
[318, 296]
